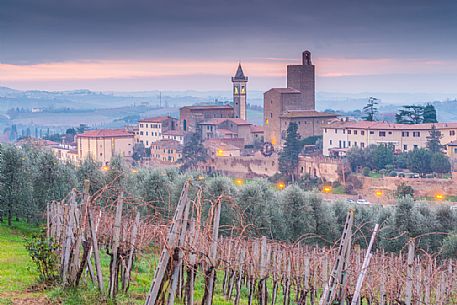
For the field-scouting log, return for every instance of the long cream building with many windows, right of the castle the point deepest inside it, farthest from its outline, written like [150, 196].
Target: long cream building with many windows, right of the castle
[341, 136]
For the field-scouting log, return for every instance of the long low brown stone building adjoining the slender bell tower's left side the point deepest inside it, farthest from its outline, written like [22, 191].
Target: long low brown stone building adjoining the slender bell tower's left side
[191, 116]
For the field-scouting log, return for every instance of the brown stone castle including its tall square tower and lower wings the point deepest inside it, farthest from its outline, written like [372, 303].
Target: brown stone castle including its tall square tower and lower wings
[296, 103]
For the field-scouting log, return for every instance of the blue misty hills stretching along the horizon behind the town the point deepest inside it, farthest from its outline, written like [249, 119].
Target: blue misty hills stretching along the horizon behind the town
[62, 109]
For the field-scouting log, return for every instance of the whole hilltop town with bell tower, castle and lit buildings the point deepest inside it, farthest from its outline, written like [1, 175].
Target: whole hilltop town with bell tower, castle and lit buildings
[237, 148]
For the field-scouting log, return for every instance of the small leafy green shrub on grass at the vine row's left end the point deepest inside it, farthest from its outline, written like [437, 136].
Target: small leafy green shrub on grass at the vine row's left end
[43, 252]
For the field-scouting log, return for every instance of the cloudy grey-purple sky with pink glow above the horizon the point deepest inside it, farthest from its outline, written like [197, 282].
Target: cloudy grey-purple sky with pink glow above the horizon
[135, 45]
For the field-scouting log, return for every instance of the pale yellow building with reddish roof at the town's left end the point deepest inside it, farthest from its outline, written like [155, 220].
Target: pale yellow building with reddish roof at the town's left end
[103, 144]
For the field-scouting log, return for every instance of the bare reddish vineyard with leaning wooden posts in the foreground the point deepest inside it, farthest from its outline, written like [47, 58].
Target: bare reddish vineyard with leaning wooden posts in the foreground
[192, 244]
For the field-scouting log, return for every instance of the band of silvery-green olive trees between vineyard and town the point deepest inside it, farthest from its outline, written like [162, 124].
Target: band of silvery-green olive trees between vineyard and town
[30, 177]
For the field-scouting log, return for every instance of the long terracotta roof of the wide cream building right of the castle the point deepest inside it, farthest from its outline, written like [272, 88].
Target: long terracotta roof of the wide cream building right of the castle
[387, 126]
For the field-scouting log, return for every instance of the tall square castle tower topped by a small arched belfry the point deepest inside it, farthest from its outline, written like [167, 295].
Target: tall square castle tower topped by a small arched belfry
[301, 78]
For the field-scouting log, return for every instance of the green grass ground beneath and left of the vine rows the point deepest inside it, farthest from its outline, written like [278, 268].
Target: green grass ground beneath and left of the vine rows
[18, 277]
